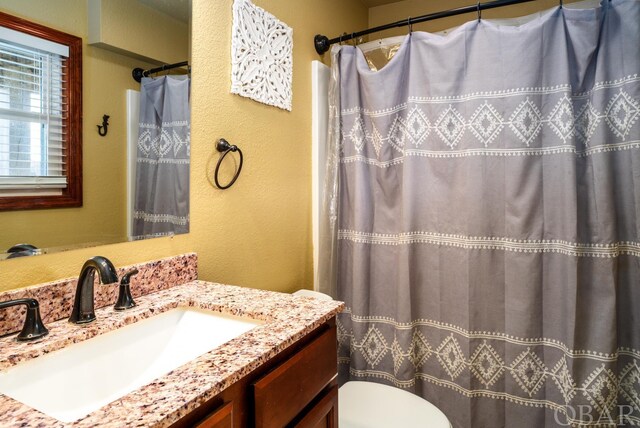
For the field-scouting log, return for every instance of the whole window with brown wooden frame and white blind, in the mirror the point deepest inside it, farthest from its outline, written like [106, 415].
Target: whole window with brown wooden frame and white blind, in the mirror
[40, 116]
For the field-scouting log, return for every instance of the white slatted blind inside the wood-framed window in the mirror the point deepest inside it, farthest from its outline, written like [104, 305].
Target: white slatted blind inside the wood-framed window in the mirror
[33, 111]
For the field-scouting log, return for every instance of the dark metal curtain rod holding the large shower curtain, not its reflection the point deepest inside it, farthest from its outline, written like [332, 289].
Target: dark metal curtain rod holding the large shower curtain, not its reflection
[322, 43]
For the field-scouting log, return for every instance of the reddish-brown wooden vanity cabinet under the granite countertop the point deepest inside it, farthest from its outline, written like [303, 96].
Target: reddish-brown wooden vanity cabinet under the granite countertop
[296, 388]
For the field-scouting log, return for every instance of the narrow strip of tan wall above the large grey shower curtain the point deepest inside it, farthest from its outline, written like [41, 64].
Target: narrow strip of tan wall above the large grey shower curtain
[386, 14]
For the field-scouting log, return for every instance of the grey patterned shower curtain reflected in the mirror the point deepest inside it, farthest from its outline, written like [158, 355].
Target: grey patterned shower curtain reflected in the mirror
[162, 168]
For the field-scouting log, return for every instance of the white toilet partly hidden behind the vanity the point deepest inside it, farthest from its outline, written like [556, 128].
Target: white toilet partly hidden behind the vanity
[373, 405]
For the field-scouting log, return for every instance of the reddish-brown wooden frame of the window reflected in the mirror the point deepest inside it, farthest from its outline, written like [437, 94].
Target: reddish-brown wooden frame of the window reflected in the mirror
[72, 195]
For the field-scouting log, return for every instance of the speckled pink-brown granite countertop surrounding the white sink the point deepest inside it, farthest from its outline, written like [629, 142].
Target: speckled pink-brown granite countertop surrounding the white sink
[170, 397]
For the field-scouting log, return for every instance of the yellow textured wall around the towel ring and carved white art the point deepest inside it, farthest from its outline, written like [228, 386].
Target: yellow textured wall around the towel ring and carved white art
[257, 233]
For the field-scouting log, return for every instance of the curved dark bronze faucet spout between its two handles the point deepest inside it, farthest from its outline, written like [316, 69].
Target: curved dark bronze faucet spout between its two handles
[83, 306]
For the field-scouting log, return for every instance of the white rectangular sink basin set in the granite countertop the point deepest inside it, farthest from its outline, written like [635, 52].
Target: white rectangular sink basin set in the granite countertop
[71, 383]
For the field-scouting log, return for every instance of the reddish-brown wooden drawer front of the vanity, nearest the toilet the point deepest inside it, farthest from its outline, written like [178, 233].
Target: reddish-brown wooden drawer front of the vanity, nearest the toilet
[281, 394]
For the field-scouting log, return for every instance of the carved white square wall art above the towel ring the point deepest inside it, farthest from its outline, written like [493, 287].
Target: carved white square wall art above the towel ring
[261, 56]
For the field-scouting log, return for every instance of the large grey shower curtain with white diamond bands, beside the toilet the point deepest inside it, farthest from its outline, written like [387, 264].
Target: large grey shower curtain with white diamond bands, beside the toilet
[481, 219]
